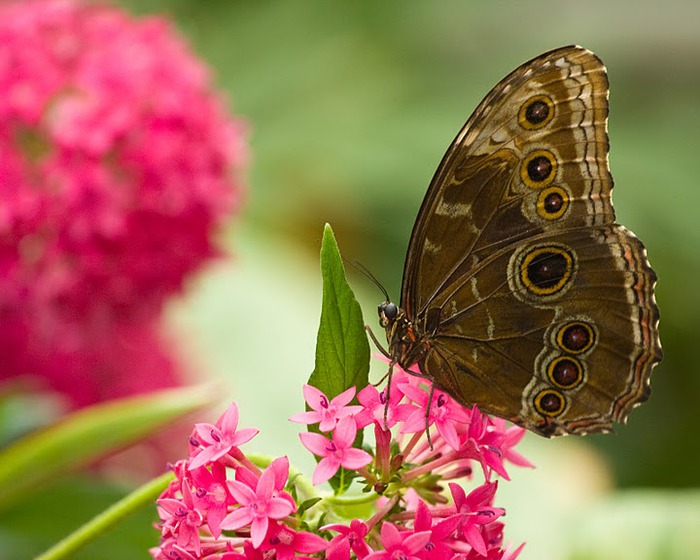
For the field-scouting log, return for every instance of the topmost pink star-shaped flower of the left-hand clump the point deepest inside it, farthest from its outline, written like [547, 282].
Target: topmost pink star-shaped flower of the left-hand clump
[218, 440]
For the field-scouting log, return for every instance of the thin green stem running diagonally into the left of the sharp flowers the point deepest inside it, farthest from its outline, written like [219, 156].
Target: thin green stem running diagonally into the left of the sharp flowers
[142, 496]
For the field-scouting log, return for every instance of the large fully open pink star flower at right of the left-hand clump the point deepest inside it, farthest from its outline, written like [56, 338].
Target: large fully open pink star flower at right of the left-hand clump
[256, 507]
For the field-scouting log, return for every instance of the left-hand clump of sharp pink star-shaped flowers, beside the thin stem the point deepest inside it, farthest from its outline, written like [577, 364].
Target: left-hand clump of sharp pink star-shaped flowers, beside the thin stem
[202, 502]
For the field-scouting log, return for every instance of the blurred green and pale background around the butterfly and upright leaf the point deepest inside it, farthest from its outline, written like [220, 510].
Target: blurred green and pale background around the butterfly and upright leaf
[350, 107]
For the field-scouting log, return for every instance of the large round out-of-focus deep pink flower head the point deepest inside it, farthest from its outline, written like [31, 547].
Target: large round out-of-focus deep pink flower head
[117, 164]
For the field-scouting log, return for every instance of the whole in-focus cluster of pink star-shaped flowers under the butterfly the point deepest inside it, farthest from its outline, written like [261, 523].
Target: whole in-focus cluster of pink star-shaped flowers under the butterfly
[258, 514]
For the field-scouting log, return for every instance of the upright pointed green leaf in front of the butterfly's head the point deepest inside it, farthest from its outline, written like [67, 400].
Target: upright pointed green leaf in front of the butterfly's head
[342, 350]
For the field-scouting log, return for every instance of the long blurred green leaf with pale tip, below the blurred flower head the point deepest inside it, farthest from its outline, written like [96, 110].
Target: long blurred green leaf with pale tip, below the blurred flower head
[89, 434]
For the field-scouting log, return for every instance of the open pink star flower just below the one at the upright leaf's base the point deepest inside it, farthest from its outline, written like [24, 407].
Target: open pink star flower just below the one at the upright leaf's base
[336, 452]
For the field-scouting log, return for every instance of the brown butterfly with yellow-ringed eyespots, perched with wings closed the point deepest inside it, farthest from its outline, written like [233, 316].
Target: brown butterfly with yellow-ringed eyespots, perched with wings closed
[521, 293]
